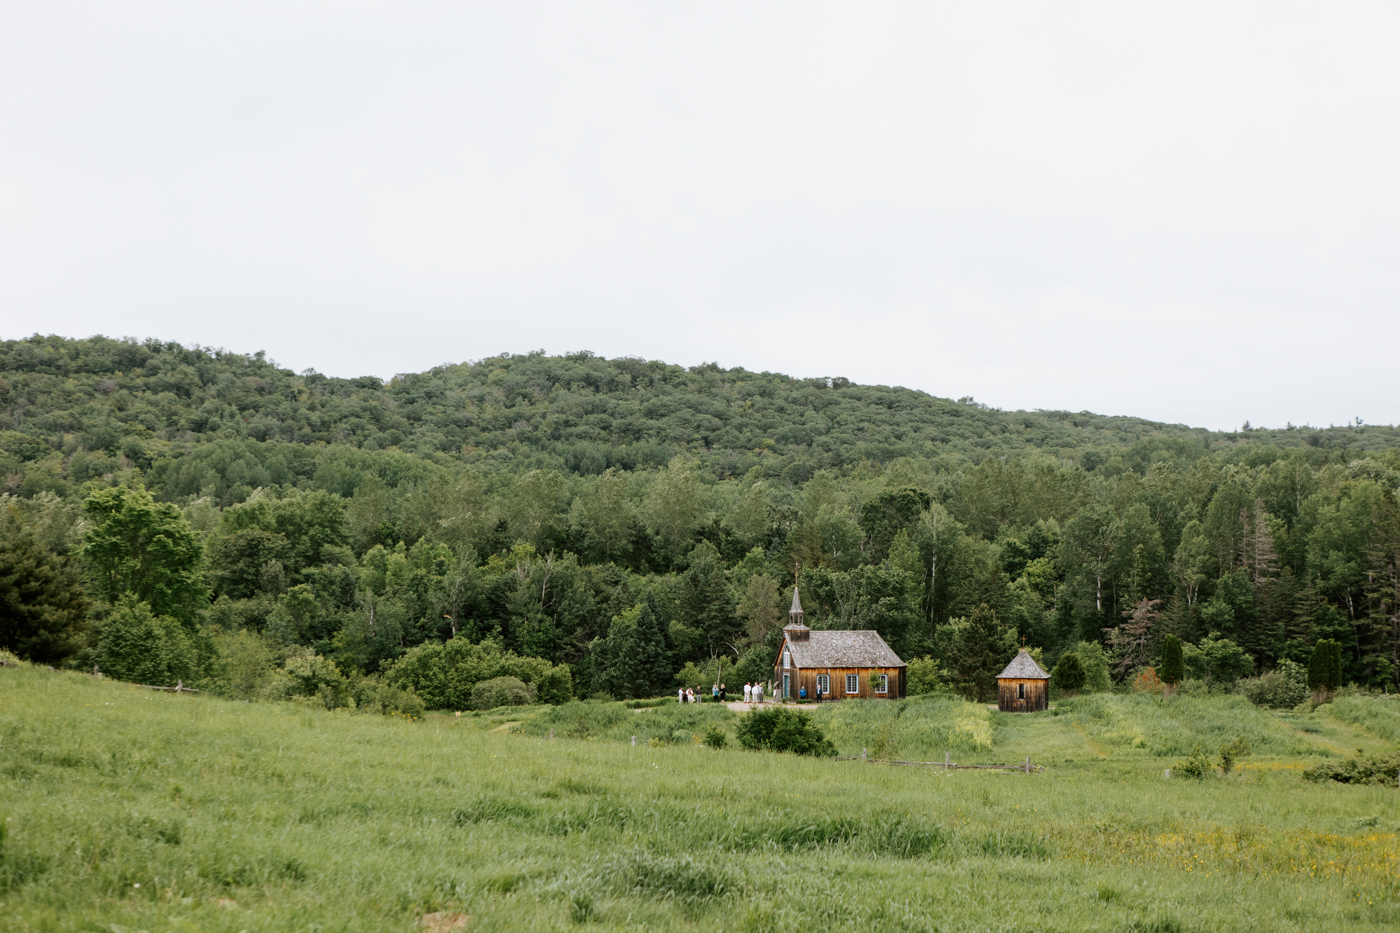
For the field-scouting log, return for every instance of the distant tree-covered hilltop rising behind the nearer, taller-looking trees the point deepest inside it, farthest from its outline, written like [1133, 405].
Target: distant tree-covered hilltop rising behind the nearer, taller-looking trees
[577, 414]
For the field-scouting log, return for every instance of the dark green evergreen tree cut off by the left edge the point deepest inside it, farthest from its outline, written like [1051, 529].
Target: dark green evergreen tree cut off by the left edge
[43, 603]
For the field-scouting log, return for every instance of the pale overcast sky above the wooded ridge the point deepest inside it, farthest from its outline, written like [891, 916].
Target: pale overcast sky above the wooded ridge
[1184, 212]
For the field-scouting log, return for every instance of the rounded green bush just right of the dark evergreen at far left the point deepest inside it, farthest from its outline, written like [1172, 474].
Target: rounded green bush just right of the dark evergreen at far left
[142, 648]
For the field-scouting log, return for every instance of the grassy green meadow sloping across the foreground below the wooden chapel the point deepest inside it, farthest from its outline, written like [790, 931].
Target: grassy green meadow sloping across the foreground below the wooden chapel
[128, 810]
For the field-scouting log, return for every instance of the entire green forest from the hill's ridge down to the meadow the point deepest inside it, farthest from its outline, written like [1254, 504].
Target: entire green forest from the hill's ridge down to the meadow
[603, 526]
